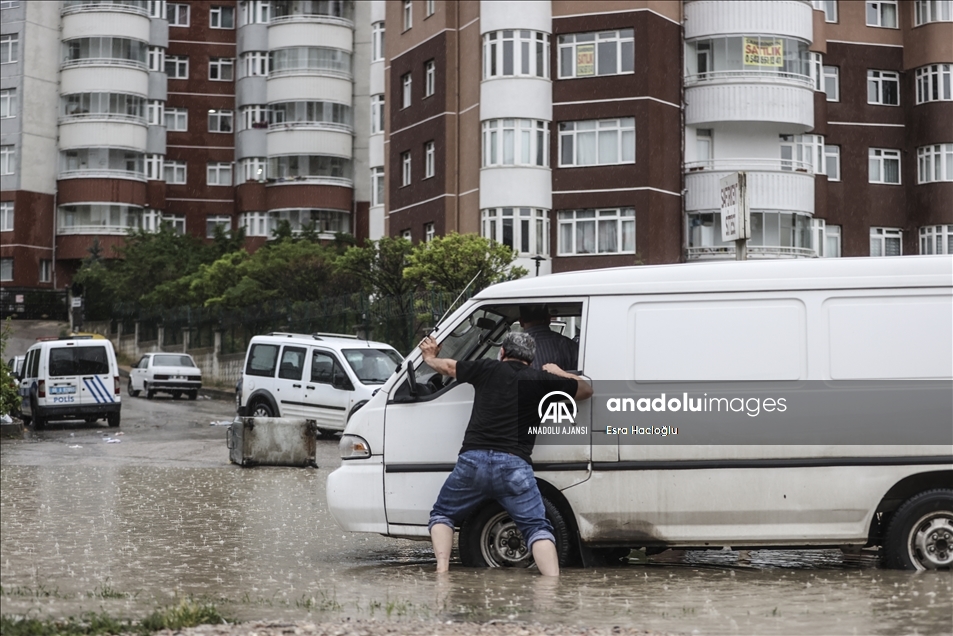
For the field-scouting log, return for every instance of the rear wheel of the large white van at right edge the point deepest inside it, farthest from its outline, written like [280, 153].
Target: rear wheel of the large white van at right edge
[920, 533]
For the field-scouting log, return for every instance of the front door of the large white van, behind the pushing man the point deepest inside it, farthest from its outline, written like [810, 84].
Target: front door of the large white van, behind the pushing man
[422, 438]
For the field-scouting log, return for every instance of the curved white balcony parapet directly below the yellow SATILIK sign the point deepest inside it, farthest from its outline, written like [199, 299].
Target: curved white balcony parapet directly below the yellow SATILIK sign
[744, 96]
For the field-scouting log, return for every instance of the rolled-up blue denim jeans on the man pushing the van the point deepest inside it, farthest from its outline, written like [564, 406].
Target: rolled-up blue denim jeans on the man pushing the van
[484, 474]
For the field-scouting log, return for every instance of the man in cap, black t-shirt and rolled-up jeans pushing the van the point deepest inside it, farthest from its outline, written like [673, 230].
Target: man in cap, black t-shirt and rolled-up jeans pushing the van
[494, 461]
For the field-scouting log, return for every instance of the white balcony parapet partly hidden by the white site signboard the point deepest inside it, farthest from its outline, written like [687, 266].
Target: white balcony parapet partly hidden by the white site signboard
[773, 184]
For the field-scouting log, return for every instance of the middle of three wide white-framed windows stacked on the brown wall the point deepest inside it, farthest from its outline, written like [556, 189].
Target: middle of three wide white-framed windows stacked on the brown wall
[597, 143]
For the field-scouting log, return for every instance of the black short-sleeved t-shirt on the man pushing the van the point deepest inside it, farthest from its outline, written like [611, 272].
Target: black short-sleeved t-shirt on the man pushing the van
[495, 421]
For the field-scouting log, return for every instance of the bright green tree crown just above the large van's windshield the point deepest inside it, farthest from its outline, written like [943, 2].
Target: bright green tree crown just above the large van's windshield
[449, 262]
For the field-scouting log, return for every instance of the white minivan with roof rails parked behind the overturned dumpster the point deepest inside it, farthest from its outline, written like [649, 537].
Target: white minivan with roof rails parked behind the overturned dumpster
[321, 377]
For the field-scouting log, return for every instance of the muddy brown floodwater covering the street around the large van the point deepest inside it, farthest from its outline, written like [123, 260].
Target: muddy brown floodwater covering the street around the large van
[261, 543]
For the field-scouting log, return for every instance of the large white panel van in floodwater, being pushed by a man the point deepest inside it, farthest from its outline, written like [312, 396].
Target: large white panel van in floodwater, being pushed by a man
[867, 319]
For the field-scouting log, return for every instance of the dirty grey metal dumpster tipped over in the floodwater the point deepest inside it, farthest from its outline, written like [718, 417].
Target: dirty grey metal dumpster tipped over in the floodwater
[272, 441]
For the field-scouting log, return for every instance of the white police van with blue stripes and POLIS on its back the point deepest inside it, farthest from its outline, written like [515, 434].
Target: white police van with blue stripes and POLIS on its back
[70, 378]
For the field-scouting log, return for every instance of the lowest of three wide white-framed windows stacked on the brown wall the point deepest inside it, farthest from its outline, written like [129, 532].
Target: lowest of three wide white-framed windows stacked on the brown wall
[609, 231]
